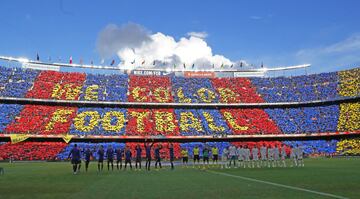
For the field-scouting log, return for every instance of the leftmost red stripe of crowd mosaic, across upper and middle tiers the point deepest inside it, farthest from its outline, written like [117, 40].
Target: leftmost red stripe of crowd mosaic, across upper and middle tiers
[49, 119]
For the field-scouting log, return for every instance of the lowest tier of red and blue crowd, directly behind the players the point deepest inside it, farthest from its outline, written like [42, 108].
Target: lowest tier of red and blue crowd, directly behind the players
[60, 150]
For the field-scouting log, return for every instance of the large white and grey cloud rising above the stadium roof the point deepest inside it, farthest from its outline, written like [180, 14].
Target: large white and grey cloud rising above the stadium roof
[136, 43]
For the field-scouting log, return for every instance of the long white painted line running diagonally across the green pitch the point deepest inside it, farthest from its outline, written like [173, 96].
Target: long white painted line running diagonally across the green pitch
[278, 185]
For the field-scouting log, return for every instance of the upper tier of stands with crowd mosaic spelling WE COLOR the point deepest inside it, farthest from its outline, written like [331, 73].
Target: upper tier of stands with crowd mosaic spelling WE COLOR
[18, 82]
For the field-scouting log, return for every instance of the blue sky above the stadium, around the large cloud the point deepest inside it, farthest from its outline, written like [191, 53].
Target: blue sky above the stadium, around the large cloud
[325, 33]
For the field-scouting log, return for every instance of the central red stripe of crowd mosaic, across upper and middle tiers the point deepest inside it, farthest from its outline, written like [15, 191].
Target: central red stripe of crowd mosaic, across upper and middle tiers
[151, 121]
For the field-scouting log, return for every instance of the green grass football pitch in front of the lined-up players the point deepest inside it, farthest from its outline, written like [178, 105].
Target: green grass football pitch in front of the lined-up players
[320, 178]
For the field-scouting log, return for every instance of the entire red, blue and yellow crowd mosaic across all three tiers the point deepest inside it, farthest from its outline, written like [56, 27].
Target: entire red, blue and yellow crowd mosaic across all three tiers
[83, 121]
